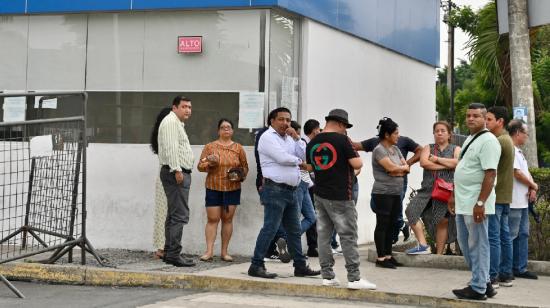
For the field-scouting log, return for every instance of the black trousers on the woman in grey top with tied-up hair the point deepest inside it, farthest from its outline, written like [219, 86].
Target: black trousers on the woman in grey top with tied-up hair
[386, 208]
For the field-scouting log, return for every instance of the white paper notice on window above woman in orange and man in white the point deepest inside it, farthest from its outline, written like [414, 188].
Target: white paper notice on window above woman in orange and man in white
[251, 109]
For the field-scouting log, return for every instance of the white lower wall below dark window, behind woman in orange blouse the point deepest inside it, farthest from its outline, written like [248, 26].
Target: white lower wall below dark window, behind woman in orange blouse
[121, 194]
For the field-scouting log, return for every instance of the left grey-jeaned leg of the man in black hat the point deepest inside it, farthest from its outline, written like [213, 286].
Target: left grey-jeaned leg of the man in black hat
[325, 228]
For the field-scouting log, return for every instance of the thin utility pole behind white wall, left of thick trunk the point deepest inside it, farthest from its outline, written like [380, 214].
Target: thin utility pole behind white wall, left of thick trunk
[447, 7]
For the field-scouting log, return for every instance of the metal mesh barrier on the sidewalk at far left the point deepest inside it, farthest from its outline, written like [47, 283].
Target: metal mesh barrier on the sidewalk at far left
[43, 185]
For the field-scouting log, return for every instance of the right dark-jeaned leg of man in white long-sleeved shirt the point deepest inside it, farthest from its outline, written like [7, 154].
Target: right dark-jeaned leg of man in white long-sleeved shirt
[291, 223]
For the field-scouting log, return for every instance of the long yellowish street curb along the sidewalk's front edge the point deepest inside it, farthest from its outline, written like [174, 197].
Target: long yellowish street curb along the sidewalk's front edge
[84, 275]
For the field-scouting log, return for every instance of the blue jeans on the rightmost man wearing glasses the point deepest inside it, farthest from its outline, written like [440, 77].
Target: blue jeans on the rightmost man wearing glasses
[519, 234]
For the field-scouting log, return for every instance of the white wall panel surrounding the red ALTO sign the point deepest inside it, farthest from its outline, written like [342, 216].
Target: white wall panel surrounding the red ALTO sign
[230, 57]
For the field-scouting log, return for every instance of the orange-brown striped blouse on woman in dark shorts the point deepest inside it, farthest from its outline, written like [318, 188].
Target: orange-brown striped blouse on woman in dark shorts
[231, 156]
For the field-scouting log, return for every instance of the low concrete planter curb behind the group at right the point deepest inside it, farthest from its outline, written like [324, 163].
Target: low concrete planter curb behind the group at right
[449, 262]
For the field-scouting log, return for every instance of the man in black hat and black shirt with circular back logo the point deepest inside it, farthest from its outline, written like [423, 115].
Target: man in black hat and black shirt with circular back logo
[330, 155]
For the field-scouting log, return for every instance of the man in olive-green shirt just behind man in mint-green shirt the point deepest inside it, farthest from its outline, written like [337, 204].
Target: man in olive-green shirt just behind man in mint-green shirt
[500, 242]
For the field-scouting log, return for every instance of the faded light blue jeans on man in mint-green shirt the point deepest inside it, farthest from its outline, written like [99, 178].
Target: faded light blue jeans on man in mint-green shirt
[473, 239]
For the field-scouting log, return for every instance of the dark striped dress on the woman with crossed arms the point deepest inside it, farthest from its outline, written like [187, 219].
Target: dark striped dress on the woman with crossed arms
[419, 207]
